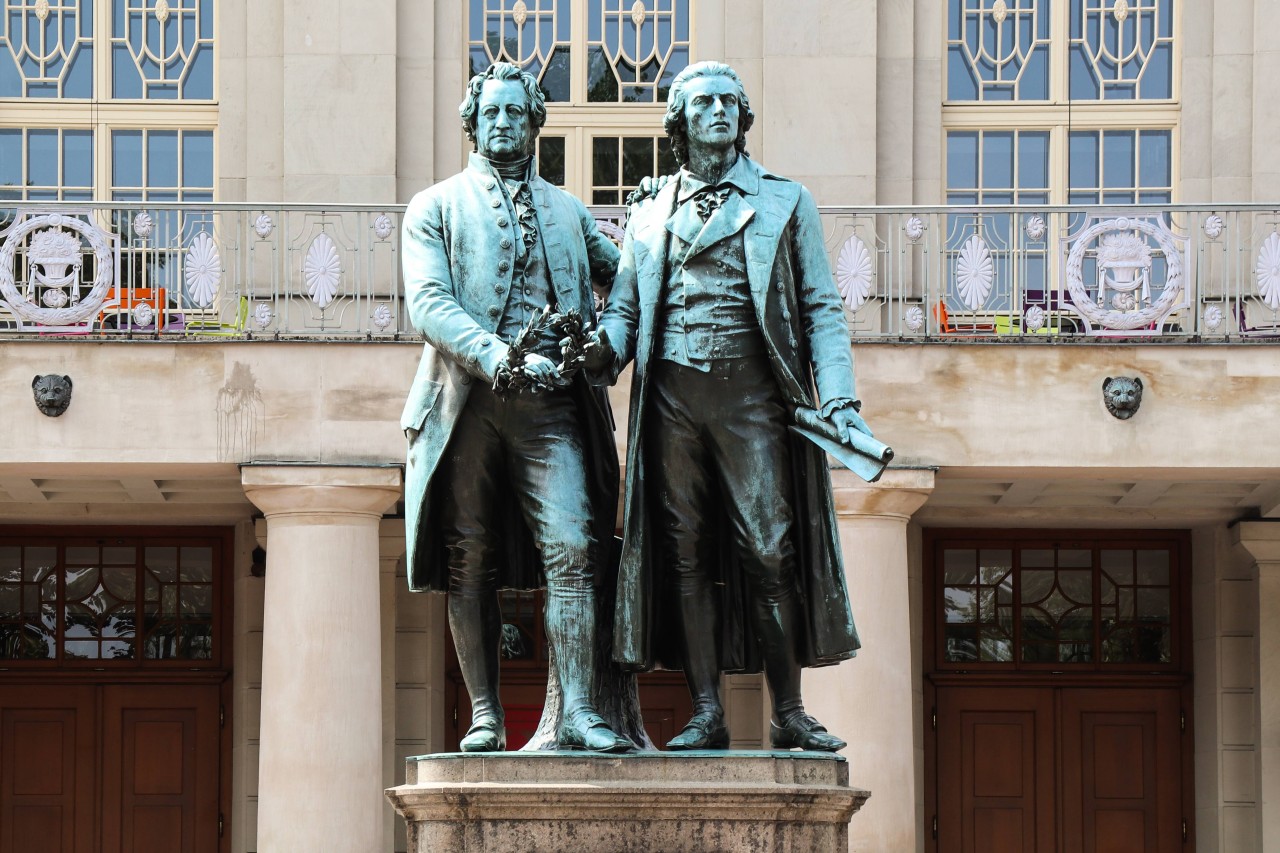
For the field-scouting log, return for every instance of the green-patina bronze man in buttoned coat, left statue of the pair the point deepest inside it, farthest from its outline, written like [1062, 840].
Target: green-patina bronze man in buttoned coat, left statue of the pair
[513, 471]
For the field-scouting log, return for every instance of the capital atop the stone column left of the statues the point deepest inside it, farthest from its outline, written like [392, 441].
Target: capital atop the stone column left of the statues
[322, 490]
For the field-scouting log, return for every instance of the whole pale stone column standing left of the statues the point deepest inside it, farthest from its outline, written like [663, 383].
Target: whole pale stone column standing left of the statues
[321, 773]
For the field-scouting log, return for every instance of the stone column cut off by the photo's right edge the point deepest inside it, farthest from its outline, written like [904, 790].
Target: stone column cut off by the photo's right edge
[1263, 541]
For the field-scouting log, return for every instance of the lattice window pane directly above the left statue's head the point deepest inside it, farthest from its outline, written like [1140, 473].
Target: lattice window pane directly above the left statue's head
[531, 34]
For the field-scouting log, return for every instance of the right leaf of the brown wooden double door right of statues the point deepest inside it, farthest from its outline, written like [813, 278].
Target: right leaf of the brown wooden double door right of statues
[1122, 772]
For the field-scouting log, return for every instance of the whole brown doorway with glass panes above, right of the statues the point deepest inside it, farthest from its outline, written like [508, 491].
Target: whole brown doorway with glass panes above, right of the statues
[1059, 686]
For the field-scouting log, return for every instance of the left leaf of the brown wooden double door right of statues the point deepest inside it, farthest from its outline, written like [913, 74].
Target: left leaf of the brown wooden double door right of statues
[996, 770]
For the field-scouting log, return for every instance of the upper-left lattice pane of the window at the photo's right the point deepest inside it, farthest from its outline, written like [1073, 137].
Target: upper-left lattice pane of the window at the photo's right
[998, 51]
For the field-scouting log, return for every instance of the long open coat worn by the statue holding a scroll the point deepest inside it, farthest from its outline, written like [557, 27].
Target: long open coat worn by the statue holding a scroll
[807, 339]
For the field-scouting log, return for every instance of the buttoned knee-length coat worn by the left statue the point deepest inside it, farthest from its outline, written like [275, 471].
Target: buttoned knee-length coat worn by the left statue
[459, 243]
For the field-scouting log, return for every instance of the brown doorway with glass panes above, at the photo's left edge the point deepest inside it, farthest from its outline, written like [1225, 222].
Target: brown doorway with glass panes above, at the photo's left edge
[112, 692]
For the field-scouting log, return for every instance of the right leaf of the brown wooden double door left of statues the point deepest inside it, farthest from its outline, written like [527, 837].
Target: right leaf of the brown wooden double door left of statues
[161, 769]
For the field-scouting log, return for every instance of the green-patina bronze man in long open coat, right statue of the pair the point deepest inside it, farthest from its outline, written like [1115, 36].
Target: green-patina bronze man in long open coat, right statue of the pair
[726, 305]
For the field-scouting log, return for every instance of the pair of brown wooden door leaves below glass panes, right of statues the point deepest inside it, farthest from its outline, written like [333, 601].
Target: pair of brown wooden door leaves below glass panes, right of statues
[1072, 770]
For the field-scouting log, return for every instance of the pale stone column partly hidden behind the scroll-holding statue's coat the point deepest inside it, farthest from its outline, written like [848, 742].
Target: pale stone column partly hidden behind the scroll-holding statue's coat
[872, 700]
